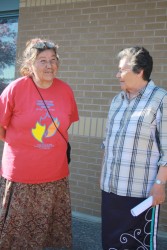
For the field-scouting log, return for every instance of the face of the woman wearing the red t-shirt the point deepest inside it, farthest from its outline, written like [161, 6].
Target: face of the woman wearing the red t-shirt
[45, 67]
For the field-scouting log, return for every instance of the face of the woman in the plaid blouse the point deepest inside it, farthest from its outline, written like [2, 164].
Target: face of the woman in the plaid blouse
[130, 82]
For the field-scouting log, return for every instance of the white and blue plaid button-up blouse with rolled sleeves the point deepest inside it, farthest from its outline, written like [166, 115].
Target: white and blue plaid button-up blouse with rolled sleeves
[136, 142]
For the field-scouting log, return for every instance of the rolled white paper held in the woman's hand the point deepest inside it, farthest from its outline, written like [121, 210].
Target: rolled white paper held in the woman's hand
[141, 207]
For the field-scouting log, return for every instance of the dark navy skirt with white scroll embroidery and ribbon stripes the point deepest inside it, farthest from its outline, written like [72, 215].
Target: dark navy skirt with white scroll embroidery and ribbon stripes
[121, 230]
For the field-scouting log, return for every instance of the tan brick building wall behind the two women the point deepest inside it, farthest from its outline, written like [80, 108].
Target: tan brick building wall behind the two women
[90, 33]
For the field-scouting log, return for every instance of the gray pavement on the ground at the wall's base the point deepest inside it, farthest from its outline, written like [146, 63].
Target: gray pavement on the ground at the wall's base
[87, 235]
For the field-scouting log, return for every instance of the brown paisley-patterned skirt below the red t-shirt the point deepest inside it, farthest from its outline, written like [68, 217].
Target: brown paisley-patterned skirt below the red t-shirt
[35, 216]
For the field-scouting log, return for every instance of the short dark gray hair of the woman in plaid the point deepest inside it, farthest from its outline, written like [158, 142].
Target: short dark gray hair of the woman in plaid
[138, 59]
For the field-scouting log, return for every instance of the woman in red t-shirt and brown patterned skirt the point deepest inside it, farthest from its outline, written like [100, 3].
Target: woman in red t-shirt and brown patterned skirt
[36, 111]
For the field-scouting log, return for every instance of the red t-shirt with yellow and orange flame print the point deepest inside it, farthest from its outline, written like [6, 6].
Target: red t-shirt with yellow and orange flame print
[34, 151]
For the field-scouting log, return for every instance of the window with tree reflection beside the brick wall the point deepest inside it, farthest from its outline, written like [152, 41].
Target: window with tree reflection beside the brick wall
[8, 38]
